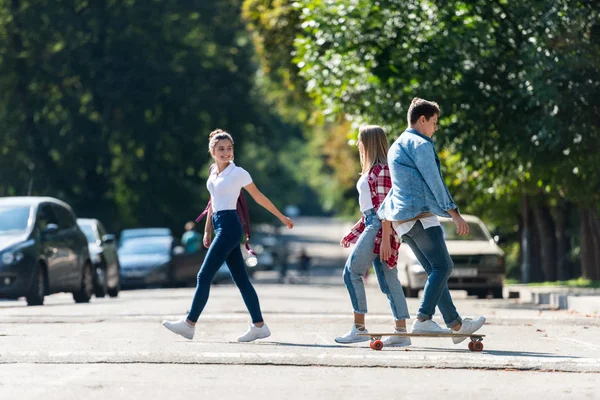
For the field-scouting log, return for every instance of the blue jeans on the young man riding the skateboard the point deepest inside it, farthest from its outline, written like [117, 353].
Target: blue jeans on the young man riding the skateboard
[431, 251]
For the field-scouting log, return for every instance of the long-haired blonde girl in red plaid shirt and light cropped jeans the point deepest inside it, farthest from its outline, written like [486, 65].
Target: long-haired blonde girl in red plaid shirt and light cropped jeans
[376, 242]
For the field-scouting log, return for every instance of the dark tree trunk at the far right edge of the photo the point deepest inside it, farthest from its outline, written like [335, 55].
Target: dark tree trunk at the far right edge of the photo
[589, 223]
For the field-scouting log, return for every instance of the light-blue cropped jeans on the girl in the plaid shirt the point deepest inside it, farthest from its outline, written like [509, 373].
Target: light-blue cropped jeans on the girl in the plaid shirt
[361, 259]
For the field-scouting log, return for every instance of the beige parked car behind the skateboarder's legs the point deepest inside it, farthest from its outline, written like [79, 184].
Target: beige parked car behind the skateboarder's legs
[478, 262]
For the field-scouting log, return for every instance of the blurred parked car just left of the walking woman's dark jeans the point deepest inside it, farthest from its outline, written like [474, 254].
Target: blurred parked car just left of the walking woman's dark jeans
[157, 260]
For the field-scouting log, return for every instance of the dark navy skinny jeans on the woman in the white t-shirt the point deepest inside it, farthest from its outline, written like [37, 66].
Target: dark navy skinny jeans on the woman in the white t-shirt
[225, 247]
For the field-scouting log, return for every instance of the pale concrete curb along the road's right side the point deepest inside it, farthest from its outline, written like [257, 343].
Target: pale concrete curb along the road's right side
[581, 300]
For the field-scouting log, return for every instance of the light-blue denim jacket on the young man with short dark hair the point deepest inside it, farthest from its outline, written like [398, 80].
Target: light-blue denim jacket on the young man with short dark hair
[417, 183]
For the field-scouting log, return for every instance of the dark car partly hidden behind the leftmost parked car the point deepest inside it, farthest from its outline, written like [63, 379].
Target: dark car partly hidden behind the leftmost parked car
[103, 252]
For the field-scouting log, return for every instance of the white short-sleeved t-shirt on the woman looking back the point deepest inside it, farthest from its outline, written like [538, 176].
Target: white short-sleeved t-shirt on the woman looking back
[225, 187]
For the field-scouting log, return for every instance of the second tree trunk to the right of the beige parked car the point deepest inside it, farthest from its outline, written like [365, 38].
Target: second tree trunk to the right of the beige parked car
[545, 230]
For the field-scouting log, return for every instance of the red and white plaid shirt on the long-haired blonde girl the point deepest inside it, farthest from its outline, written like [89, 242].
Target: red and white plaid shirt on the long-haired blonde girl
[380, 184]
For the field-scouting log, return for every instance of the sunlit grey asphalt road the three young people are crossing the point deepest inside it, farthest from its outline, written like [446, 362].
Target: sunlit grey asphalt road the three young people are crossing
[117, 348]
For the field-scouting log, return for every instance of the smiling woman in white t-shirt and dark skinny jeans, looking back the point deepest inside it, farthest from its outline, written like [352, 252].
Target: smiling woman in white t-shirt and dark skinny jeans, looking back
[224, 184]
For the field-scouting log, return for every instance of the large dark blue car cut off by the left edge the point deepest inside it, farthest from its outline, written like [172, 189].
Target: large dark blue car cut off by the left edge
[42, 250]
